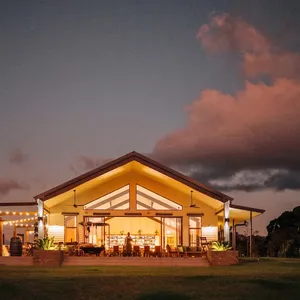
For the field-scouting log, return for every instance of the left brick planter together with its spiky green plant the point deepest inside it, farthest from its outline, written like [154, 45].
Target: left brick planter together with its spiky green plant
[46, 253]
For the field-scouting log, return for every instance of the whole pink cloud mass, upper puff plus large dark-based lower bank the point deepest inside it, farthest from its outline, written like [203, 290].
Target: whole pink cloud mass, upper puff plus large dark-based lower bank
[248, 140]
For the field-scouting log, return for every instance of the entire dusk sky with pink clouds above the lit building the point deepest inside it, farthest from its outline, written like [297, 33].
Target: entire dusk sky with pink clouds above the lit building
[210, 88]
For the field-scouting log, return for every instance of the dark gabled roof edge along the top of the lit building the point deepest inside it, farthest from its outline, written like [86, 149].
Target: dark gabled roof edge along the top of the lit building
[123, 160]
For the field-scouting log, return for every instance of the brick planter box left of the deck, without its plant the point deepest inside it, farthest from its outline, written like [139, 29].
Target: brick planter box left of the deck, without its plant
[51, 258]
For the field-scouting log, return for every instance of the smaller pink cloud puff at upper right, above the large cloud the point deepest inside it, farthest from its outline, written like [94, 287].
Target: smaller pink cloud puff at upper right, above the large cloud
[260, 56]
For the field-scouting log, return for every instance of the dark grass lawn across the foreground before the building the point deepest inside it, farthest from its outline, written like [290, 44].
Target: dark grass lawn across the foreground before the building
[252, 279]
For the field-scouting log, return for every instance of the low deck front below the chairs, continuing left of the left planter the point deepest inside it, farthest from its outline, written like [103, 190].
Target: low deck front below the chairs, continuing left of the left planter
[113, 261]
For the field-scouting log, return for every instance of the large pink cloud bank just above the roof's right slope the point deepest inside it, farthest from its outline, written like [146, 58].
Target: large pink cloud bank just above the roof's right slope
[257, 126]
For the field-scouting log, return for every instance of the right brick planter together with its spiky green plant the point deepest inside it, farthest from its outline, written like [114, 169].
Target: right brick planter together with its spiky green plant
[221, 254]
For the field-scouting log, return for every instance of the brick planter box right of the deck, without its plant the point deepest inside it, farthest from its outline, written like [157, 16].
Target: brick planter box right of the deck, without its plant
[223, 258]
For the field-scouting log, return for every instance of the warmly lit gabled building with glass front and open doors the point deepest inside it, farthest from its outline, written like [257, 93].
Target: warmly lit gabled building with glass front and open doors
[135, 194]
